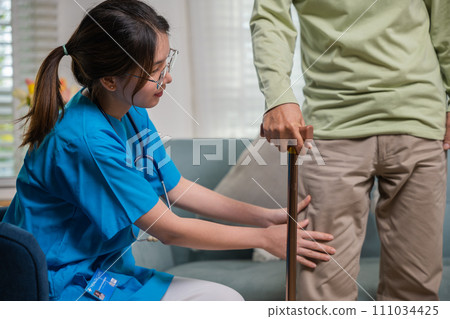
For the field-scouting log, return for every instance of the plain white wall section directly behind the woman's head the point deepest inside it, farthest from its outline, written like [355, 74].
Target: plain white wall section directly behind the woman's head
[172, 116]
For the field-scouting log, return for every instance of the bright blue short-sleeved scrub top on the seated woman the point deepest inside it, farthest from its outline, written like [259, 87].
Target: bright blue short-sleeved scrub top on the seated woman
[81, 191]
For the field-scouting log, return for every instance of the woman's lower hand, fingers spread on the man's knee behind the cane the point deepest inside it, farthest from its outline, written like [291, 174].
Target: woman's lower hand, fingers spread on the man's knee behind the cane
[309, 246]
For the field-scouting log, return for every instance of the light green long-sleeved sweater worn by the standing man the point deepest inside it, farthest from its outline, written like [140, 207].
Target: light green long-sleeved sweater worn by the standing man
[370, 67]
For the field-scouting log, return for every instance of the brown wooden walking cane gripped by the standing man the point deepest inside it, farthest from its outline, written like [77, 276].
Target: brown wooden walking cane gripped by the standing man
[291, 253]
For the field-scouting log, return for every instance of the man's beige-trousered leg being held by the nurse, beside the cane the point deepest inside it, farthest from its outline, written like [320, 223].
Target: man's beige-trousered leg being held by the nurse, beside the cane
[340, 204]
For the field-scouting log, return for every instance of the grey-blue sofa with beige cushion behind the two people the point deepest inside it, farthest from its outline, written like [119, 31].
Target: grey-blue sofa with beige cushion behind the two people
[240, 169]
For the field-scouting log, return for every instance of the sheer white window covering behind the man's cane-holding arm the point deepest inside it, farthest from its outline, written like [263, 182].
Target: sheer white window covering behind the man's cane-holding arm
[227, 99]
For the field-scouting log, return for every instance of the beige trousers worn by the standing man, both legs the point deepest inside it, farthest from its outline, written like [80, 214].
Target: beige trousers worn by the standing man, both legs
[411, 174]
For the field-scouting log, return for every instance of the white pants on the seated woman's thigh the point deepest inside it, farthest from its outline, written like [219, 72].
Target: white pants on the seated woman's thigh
[188, 289]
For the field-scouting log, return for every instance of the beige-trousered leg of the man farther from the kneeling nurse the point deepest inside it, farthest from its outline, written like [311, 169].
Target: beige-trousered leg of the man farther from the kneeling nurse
[410, 217]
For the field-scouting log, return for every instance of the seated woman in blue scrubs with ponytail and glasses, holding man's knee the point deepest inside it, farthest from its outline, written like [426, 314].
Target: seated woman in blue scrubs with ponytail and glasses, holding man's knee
[96, 169]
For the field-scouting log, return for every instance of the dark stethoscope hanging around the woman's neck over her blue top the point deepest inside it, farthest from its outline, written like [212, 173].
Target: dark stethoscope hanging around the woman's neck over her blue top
[143, 155]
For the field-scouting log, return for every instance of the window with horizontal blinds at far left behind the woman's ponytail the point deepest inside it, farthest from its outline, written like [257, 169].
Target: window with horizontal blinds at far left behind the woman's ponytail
[28, 33]
